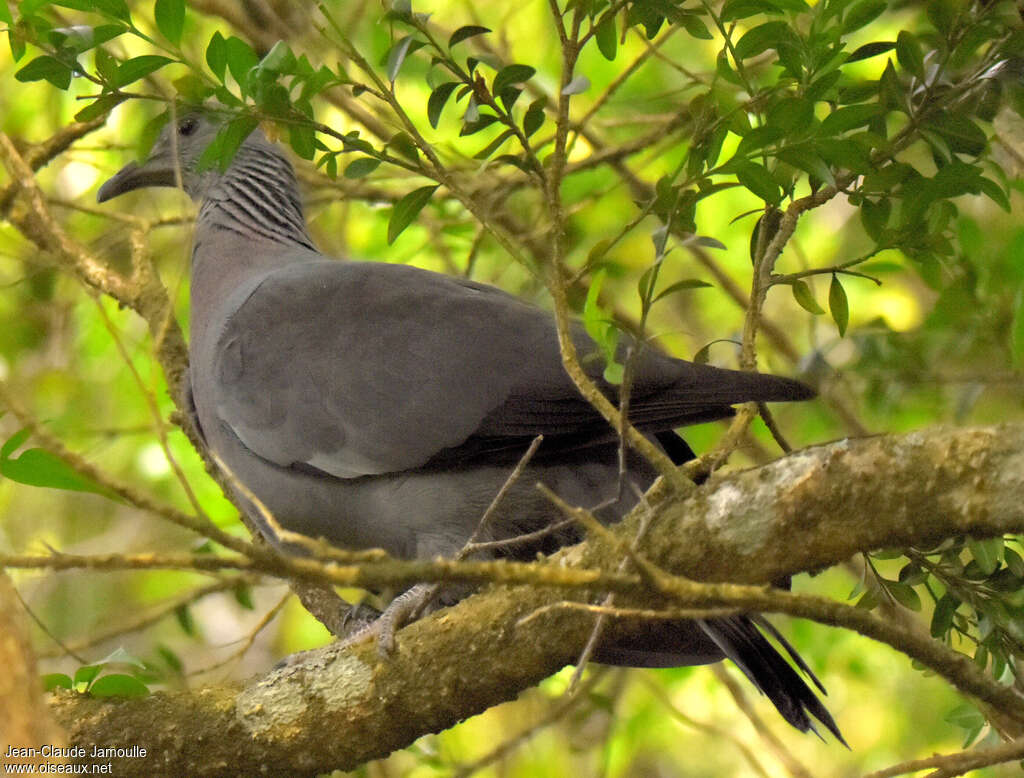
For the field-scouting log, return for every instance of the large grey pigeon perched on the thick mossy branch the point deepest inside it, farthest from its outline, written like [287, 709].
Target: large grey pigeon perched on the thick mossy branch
[382, 406]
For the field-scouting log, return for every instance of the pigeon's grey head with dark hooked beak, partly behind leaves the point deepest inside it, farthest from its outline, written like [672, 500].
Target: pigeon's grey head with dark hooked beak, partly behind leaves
[173, 162]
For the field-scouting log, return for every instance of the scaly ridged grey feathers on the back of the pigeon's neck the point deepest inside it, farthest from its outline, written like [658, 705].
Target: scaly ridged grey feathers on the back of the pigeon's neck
[258, 198]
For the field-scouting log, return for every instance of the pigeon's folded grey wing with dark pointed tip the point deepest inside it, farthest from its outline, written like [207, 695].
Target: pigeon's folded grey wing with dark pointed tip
[362, 369]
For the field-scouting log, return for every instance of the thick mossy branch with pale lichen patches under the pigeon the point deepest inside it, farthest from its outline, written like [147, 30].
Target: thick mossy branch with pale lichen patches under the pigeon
[336, 710]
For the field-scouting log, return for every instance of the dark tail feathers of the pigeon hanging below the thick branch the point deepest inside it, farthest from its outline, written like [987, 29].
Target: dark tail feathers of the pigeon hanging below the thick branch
[767, 670]
